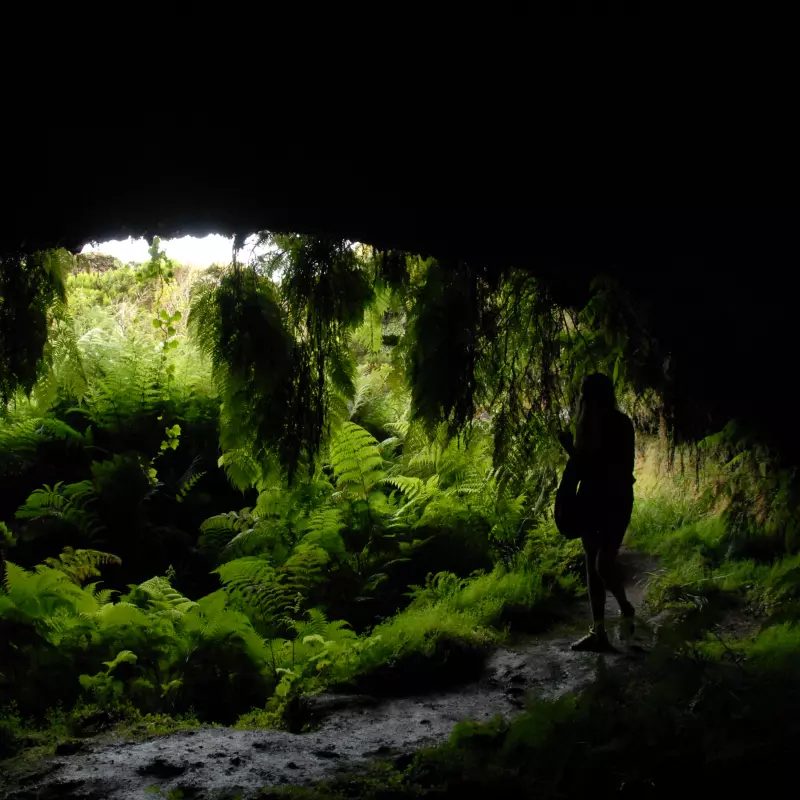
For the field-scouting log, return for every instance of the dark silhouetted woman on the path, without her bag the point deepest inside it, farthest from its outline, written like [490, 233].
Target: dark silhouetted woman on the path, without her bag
[604, 452]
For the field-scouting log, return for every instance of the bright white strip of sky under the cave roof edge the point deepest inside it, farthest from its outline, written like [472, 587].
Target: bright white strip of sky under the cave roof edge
[188, 250]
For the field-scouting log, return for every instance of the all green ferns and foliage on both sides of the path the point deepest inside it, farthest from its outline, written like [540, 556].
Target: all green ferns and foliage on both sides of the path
[226, 489]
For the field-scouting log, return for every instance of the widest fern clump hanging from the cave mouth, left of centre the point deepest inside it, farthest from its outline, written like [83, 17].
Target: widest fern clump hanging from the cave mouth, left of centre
[279, 351]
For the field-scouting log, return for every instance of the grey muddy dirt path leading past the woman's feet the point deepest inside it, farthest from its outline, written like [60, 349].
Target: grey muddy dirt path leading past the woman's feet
[223, 762]
